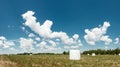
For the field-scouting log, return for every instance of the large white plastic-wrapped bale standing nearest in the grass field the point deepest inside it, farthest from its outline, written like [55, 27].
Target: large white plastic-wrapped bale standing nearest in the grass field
[74, 55]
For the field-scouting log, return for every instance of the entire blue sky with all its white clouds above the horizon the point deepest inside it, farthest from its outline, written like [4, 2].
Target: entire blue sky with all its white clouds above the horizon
[55, 26]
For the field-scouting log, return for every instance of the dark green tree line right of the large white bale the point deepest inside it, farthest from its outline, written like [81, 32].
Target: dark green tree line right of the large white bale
[103, 52]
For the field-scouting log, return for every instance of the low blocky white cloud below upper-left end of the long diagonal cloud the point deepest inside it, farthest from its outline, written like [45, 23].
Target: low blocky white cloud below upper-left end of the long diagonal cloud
[26, 44]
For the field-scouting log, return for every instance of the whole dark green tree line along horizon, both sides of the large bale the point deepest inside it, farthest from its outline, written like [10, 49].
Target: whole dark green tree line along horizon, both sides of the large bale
[97, 52]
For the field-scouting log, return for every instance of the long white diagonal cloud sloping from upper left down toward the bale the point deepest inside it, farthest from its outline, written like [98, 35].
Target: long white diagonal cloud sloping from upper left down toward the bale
[45, 29]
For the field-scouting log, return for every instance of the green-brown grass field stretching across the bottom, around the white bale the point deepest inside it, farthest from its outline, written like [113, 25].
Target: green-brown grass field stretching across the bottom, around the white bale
[59, 61]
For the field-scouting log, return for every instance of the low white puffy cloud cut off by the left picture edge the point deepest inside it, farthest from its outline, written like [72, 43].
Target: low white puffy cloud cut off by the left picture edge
[5, 43]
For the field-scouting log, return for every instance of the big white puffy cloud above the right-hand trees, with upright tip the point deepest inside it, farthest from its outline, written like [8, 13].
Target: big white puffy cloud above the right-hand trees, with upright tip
[98, 34]
